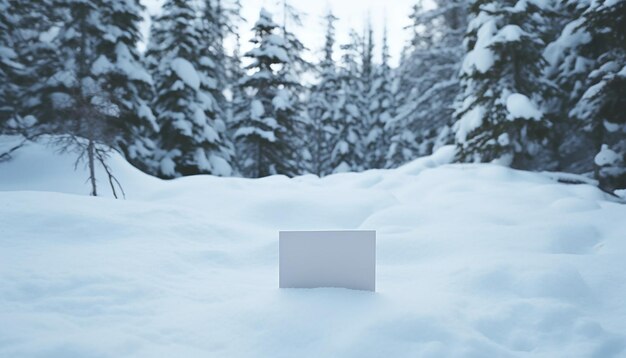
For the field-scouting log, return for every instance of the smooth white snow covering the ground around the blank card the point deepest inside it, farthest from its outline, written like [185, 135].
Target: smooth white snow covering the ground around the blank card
[473, 261]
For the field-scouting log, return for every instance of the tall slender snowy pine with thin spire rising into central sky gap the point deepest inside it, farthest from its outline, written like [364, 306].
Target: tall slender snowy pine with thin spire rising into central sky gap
[322, 105]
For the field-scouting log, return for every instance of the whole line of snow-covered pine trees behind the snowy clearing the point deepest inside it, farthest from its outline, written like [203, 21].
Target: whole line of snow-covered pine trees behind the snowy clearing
[534, 84]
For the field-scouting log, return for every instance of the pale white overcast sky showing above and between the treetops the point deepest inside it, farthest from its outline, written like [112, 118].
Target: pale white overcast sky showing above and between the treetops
[351, 13]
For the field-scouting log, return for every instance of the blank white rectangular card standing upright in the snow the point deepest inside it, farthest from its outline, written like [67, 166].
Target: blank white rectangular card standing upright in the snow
[311, 259]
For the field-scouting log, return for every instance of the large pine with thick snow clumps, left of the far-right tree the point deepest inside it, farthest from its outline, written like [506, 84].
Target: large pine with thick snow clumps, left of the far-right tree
[500, 116]
